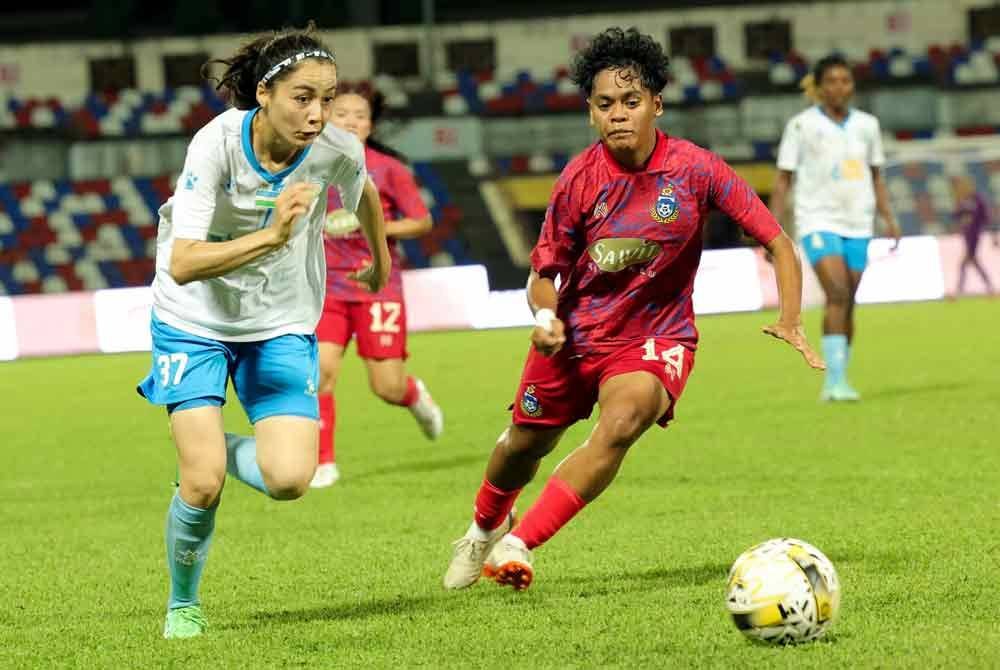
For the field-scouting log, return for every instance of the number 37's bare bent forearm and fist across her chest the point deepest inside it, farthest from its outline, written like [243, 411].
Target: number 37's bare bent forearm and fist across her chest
[193, 260]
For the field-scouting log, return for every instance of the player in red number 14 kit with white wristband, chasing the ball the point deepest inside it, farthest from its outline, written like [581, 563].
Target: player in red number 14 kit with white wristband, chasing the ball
[623, 232]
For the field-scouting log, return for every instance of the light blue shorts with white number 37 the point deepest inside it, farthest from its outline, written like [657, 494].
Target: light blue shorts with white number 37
[276, 377]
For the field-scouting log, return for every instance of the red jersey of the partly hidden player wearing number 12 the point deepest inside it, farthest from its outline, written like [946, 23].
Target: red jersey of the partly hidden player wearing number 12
[400, 200]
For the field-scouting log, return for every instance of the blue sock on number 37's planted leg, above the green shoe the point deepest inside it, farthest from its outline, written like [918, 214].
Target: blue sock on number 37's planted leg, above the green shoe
[189, 535]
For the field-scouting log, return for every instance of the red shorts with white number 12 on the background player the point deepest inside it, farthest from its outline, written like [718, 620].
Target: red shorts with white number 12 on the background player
[380, 327]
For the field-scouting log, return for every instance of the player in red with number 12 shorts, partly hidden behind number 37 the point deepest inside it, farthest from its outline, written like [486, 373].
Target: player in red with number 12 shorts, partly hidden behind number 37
[376, 321]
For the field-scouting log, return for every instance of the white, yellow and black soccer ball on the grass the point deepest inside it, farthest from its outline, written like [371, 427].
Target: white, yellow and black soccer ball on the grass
[783, 591]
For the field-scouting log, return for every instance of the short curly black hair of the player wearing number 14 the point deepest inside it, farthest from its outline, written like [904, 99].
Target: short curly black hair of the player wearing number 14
[618, 49]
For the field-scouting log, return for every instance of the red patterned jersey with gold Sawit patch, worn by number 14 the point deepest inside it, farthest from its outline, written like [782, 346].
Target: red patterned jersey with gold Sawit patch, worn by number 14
[627, 244]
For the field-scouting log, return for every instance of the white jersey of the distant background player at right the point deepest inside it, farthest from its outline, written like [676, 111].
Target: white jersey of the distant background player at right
[833, 187]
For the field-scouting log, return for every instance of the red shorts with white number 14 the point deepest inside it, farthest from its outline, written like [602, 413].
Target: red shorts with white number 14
[559, 390]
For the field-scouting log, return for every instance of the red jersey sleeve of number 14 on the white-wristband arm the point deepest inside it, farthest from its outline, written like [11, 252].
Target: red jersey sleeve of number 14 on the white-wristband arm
[556, 251]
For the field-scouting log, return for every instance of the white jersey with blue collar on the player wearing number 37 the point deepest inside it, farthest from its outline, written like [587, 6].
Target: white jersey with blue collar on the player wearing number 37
[224, 193]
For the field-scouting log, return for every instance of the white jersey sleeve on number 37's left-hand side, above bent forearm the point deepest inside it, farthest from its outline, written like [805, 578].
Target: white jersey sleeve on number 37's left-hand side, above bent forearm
[198, 185]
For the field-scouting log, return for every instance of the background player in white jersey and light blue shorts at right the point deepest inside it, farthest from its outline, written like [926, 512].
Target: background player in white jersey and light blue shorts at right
[835, 154]
